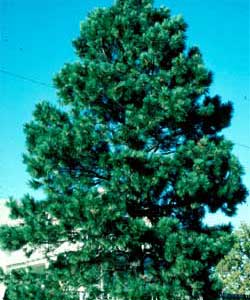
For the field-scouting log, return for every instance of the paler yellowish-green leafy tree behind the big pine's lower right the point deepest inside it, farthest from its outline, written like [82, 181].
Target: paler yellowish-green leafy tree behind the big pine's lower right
[234, 268]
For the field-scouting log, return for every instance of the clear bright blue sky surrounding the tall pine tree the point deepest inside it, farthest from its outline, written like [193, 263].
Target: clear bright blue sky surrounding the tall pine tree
[35, 42]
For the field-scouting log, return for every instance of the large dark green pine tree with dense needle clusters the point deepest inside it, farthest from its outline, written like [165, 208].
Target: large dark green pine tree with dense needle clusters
[129, 163]
